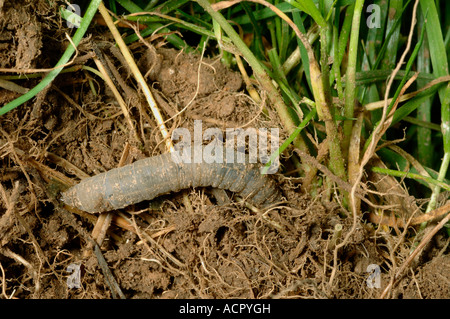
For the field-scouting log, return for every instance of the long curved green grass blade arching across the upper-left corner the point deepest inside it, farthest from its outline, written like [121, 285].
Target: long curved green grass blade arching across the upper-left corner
[85, 22]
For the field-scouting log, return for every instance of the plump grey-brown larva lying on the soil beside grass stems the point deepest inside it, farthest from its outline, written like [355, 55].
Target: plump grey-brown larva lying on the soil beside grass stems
[154, 176]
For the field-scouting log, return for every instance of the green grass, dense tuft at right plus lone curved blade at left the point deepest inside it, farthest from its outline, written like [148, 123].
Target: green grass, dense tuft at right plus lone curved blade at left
[343, 65]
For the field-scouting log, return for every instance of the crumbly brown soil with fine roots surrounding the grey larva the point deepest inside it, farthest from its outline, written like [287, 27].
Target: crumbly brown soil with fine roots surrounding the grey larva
[182, 245]
